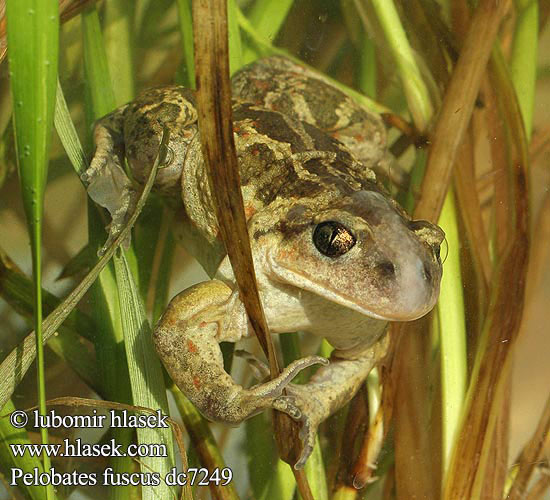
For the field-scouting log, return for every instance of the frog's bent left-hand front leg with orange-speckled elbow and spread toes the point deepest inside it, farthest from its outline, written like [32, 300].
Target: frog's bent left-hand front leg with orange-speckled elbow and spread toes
[187, 339]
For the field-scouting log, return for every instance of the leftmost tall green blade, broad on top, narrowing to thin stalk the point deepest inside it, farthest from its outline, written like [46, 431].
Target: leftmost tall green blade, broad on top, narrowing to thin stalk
[33, 40]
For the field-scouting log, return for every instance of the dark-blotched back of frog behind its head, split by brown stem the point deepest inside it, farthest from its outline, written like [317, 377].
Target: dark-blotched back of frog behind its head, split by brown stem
[281, 161]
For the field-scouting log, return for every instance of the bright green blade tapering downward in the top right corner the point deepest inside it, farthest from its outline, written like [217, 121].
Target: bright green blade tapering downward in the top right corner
[523, 62]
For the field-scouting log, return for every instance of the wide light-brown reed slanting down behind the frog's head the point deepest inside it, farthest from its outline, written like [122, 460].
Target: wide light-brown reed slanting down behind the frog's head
[449, 132]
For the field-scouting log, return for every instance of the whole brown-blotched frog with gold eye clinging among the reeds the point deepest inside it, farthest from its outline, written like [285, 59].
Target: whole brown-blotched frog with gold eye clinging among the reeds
[334, 255]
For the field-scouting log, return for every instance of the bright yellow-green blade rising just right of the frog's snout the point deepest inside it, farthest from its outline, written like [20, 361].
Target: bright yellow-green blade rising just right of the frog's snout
[452, 340]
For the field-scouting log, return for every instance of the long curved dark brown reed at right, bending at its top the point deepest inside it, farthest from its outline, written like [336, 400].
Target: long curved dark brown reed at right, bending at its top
[487, 390]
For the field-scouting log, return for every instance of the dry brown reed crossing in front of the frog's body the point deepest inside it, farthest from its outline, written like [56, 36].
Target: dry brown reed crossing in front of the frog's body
[216, 134]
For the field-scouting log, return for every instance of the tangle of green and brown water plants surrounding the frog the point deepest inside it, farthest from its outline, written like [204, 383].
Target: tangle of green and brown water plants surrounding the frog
[457, 86]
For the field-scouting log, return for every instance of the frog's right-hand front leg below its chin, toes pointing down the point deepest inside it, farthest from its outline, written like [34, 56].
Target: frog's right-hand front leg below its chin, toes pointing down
[330, 389]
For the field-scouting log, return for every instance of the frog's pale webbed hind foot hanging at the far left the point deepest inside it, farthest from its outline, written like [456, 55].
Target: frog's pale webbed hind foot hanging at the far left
[107, 182]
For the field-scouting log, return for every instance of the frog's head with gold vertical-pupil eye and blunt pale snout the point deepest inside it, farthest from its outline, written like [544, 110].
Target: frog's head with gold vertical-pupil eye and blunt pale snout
[361, 252]
